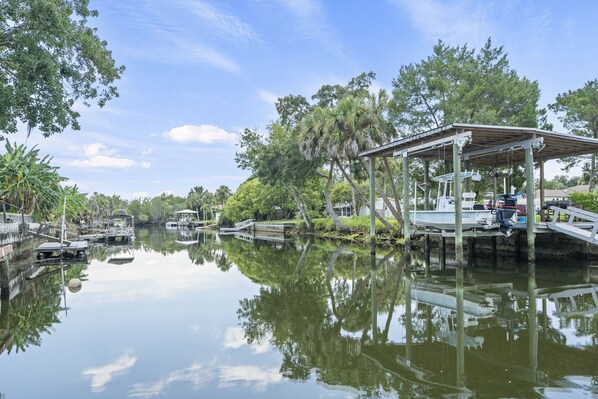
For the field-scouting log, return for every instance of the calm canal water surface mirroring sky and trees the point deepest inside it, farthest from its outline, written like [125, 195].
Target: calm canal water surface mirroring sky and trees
[193, 314]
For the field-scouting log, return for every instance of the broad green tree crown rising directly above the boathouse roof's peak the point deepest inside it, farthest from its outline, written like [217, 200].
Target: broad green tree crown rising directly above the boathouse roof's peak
[456, 84]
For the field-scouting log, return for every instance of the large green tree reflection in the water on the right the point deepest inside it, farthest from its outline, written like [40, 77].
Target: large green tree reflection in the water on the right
[316, 303]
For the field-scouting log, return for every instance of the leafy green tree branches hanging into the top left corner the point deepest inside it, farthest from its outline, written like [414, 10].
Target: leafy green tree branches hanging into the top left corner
[50, 59]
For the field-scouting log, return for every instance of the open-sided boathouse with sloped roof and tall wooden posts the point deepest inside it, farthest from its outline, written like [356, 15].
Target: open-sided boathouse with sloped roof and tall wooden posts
[491, 146]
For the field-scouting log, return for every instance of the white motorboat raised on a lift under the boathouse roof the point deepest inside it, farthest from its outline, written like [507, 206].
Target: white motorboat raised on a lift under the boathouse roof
[474, 216]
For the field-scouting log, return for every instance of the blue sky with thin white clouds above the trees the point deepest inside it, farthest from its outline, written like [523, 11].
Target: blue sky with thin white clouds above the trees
[200, 71]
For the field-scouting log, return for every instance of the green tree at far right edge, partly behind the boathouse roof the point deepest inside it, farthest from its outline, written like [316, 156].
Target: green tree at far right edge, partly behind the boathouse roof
[580, 109]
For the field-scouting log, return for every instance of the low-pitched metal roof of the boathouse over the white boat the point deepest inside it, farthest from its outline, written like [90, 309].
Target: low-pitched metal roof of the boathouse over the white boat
[485, 137]
